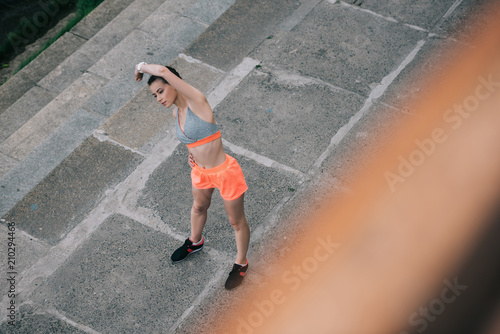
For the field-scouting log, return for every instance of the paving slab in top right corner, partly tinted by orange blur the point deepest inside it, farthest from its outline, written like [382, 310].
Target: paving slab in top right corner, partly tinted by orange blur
[463, 22]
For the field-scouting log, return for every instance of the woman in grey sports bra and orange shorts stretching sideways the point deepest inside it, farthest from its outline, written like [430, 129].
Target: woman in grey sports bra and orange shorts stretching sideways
[211, 167]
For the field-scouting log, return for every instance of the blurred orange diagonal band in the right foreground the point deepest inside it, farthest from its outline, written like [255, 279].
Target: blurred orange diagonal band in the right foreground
[373, 258]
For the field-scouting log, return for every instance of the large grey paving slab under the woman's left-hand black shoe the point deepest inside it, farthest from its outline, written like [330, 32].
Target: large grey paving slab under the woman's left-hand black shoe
[125, 282]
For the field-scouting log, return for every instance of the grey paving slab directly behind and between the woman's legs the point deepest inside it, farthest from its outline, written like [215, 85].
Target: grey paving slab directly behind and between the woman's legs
[168, 192]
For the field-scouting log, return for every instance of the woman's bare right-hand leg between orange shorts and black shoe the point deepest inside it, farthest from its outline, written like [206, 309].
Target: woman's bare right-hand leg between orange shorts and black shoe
[236, 213]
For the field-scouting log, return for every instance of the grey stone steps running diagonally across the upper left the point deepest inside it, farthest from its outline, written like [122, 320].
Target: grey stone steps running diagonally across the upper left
[52, 105]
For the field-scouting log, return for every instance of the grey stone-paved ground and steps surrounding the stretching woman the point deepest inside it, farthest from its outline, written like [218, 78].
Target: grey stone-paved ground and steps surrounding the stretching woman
[98, 185]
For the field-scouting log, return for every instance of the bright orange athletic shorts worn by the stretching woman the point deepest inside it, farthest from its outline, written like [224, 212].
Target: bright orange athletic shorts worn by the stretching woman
[228, 178]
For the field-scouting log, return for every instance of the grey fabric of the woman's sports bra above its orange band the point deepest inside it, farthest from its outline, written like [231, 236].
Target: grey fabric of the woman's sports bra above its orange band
[195, 128]
